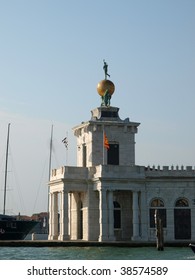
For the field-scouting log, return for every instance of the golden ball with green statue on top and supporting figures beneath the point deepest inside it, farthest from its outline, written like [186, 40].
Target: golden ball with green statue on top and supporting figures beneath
[105, 88]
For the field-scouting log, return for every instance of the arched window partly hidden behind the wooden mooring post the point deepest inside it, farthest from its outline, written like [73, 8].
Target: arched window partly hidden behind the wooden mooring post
[157, 204]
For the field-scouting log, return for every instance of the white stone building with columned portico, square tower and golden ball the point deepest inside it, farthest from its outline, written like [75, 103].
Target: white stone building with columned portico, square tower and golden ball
[107, 197]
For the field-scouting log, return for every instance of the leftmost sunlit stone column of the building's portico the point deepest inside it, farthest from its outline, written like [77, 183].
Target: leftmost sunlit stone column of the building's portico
[53, 234]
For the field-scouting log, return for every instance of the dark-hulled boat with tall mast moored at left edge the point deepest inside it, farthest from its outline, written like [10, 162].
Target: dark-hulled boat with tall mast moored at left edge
[12, 227]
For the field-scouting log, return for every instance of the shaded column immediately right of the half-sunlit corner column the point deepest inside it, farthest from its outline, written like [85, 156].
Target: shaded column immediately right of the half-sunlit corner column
[110, 217]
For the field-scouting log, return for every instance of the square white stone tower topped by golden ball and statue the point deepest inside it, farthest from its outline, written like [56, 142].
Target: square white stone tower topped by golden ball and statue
[105, 123]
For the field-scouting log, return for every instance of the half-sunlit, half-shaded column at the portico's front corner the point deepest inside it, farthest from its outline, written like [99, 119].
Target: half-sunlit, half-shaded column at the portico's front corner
[103, 216]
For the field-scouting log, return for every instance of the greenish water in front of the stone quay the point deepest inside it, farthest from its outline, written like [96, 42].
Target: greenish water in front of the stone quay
[95, 253]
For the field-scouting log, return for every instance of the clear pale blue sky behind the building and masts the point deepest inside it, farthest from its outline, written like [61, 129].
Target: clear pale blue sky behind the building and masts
[51, 60]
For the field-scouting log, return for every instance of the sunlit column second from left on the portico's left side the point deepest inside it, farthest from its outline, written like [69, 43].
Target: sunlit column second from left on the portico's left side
[64, 221]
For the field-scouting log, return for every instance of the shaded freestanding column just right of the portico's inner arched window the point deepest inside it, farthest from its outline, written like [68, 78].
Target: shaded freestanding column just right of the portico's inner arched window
[136, 235]
